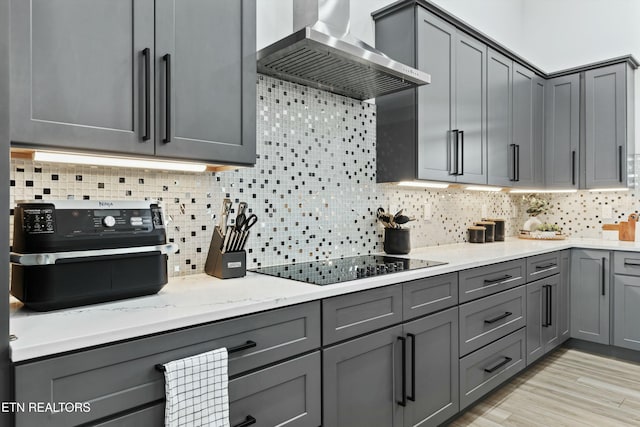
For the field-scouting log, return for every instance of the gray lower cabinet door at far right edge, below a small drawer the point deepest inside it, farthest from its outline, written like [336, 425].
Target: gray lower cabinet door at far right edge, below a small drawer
[626, 320]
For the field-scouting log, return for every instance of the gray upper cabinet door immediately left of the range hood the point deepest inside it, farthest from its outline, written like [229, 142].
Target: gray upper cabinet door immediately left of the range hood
[207, 88]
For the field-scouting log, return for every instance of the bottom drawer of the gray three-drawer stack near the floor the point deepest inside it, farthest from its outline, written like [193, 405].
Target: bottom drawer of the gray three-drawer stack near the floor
[484, 370]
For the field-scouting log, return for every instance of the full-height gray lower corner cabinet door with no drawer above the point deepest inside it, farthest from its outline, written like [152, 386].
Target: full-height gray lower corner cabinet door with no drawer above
[590, 295]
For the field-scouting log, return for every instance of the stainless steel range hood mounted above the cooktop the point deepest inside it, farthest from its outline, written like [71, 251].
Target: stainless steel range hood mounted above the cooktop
[322, 54]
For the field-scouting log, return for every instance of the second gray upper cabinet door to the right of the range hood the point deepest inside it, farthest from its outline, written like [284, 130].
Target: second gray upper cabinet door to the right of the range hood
[470, 93]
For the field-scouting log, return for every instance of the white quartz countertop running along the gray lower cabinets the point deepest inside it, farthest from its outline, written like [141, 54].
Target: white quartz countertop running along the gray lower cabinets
[198, 299]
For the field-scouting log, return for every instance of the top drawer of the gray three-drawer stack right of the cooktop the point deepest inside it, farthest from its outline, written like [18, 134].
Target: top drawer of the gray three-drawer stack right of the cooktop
[482, 281]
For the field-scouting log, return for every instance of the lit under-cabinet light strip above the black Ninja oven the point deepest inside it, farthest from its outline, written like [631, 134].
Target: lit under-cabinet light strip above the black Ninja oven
[123, 162]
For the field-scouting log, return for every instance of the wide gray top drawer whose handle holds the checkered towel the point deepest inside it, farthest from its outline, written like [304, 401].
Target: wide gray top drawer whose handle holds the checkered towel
[122, 376]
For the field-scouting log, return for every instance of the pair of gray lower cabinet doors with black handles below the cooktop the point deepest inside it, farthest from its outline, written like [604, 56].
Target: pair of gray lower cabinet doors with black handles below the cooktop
[363, 378]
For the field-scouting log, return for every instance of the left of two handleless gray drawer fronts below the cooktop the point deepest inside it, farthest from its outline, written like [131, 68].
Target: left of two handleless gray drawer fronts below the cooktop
[347, 316]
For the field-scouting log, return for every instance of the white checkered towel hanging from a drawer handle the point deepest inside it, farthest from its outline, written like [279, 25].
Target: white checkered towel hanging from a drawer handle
[196, 389]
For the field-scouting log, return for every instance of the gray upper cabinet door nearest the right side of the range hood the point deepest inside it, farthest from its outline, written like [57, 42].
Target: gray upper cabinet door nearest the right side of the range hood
[435, 49]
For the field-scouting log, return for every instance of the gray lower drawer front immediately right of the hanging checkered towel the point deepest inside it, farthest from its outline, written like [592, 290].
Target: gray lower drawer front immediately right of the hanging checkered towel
[287, 394]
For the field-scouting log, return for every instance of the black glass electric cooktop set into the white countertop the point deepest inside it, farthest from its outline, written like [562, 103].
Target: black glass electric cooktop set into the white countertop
[339, 270]
